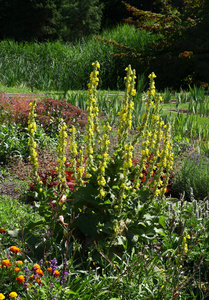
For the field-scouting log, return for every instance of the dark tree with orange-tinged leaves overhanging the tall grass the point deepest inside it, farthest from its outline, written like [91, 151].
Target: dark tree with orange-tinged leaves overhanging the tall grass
[180, 26]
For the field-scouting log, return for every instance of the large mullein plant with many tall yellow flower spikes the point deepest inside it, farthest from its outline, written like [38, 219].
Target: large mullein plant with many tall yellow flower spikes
[113, 183]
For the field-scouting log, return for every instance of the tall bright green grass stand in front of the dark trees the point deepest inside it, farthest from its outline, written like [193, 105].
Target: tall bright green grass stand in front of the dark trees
[62, 66]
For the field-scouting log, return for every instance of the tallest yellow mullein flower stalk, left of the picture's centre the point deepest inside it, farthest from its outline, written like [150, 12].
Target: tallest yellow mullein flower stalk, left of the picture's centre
[92, 123]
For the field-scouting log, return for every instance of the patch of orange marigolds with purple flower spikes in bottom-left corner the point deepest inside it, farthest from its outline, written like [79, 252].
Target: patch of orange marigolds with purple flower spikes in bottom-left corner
[20, 279]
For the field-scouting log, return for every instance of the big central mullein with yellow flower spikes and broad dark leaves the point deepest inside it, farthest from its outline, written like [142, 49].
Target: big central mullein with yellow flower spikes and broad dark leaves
[110, 197]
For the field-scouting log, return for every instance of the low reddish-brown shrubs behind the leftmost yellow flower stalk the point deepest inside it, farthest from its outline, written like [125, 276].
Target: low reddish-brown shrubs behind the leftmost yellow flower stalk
[49, 112]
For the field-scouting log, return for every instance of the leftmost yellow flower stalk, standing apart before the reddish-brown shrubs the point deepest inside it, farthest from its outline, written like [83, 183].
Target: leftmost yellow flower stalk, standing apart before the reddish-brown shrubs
[31, 141]
